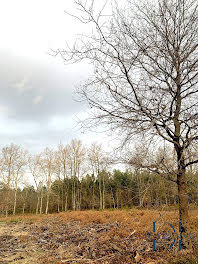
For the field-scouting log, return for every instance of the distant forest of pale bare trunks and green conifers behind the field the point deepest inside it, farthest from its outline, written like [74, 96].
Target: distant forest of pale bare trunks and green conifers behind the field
[74, 177]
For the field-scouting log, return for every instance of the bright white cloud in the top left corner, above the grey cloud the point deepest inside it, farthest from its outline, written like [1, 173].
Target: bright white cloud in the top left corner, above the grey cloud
[33, 37]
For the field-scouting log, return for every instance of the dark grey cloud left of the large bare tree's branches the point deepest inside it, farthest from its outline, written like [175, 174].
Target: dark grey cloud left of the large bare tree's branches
[36, 91]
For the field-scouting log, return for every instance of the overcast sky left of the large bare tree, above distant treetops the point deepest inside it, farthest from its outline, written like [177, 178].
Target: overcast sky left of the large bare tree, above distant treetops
[37, 108]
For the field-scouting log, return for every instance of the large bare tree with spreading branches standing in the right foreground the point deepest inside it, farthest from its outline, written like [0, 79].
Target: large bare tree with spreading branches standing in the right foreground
[145, 59]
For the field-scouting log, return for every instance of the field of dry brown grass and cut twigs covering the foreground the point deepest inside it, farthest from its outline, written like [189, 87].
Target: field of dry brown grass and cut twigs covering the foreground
[94, 237]
